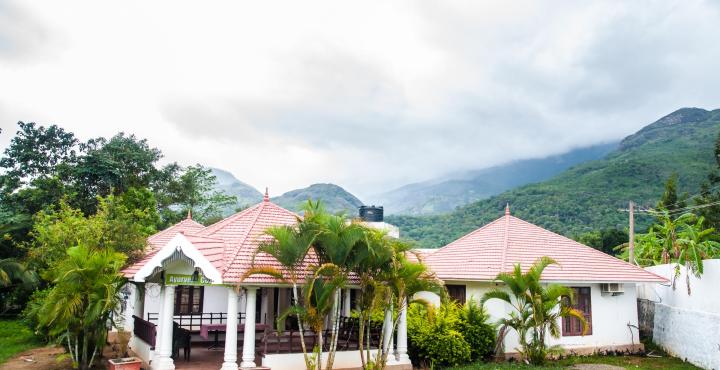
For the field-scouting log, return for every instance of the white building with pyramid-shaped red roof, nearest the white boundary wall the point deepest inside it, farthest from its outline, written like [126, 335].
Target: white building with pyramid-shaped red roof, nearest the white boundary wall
[605, 286]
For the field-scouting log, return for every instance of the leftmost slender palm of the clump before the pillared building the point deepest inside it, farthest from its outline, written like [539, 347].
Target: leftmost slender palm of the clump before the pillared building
[289, 245]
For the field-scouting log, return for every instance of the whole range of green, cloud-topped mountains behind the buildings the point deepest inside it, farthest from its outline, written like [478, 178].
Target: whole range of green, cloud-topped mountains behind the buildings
[576, 192]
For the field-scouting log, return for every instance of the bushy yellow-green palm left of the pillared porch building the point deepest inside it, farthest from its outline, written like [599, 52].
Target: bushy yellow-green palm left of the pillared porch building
[79, 306]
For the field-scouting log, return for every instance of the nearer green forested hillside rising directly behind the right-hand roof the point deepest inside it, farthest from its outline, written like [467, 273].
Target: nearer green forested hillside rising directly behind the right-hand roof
[588, 196]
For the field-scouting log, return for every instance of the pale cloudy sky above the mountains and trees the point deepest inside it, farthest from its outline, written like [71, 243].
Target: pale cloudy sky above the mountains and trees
[368, 95]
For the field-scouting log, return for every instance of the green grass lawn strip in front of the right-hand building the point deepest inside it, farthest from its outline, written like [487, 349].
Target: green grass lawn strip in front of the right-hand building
[628, 362]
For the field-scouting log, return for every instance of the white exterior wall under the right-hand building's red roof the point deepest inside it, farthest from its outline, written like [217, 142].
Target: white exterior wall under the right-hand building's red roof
[610, 317]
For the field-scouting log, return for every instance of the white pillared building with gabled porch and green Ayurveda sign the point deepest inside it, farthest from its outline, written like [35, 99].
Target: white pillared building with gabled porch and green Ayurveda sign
[192, 278]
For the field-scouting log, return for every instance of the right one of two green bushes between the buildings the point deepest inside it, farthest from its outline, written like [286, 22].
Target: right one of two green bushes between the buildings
[472, 324]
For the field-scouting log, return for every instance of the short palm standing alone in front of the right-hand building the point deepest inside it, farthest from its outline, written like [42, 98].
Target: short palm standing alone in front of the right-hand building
[537, 309]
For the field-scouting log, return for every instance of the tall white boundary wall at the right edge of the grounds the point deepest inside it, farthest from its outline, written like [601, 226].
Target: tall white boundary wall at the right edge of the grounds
[688, 325]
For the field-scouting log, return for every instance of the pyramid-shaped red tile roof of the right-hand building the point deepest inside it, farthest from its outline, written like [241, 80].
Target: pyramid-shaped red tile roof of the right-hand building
[499, 245]
